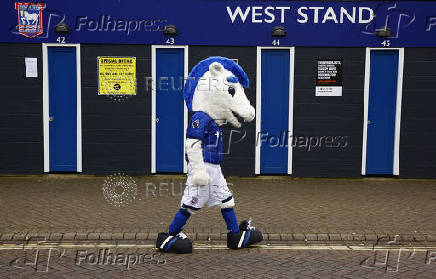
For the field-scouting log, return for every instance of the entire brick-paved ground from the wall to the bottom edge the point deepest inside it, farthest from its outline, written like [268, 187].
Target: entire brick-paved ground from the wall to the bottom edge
[73, 209]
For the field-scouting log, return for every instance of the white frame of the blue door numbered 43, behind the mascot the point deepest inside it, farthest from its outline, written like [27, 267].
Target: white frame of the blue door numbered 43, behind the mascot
[153, 102]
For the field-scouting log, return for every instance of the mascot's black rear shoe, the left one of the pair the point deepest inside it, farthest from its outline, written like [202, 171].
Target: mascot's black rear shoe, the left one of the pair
[176, 244]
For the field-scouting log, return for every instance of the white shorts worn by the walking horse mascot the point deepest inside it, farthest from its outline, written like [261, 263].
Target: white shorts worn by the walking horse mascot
[216, 193]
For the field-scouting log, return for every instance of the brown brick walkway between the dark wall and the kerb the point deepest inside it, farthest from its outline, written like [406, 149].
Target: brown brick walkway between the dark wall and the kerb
[66, 207]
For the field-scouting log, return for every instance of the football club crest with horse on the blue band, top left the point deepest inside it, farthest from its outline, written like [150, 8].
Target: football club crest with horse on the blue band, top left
[29, 18]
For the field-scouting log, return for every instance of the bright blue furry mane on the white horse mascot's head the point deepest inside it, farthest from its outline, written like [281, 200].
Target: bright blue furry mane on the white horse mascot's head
[202, 67]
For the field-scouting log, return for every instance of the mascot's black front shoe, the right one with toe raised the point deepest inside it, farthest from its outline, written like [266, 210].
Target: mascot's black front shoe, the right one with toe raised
[246, 236]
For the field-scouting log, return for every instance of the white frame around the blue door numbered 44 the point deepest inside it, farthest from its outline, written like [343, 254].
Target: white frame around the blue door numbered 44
[259, 105]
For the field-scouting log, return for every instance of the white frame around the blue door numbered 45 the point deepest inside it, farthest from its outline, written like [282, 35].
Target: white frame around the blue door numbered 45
[396, 167]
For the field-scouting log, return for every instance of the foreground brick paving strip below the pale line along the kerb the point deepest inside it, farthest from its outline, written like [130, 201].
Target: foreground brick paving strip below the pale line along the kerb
[204, 264]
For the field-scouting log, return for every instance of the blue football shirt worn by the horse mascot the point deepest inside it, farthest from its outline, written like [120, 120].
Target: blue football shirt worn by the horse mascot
[202, 127]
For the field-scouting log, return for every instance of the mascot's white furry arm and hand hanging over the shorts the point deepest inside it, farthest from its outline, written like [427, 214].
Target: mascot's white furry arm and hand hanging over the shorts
[195, 157]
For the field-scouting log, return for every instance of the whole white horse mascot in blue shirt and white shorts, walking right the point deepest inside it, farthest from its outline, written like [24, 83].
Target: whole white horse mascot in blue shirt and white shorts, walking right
[214, 93]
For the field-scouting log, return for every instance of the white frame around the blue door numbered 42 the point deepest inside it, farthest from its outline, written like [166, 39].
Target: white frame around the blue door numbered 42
[45, 101]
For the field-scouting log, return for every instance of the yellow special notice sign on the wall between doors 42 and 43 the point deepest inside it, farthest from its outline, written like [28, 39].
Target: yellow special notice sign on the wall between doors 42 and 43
[116, 75]
